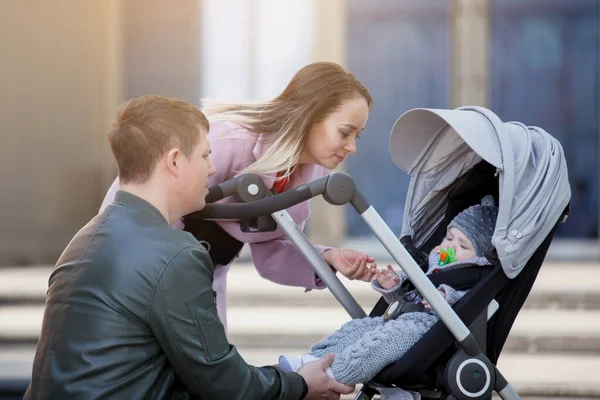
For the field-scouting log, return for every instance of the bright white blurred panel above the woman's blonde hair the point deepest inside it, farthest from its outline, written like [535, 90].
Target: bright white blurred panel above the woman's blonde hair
[252, 48]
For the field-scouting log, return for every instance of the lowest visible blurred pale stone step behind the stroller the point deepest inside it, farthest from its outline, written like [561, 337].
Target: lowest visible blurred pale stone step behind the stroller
[533, 376]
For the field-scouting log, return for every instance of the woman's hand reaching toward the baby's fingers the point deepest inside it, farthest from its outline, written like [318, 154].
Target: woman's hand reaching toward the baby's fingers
[351, 263]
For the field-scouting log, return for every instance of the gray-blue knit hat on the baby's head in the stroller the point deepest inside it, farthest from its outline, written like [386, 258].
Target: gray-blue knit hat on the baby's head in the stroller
[478, 223]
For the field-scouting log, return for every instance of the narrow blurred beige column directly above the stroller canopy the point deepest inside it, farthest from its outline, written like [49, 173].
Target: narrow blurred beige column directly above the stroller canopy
[470, 36]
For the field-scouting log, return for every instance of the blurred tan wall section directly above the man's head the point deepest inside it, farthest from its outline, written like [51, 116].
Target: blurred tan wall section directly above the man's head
[162, 48]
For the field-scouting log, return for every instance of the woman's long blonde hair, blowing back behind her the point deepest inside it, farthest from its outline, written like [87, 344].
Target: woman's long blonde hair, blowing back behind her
[315, 91]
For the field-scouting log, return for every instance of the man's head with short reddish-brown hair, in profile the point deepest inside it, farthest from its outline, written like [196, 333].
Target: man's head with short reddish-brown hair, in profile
[157, 137]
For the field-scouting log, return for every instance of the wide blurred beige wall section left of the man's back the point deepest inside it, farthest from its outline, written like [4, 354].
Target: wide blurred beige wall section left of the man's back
[59, 89]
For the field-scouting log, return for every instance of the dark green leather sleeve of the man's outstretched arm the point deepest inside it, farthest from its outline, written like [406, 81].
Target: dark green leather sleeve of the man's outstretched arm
[184, 320]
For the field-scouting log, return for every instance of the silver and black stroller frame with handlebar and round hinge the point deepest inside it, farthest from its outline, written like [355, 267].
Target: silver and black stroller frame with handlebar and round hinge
[338, 189]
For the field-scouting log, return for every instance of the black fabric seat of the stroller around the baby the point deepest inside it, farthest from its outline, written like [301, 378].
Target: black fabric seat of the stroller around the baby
[423, 367]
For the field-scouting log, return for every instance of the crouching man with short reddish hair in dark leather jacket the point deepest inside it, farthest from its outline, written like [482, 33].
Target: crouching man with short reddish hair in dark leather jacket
[130, 305]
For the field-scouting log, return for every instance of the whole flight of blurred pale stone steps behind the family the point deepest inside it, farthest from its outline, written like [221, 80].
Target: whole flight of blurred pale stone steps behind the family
[553, 349]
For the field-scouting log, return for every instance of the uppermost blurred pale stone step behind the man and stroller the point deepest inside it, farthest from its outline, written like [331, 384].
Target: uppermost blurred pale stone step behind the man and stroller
[559, 285]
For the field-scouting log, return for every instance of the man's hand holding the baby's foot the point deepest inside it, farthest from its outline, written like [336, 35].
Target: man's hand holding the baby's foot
[321, 385]
